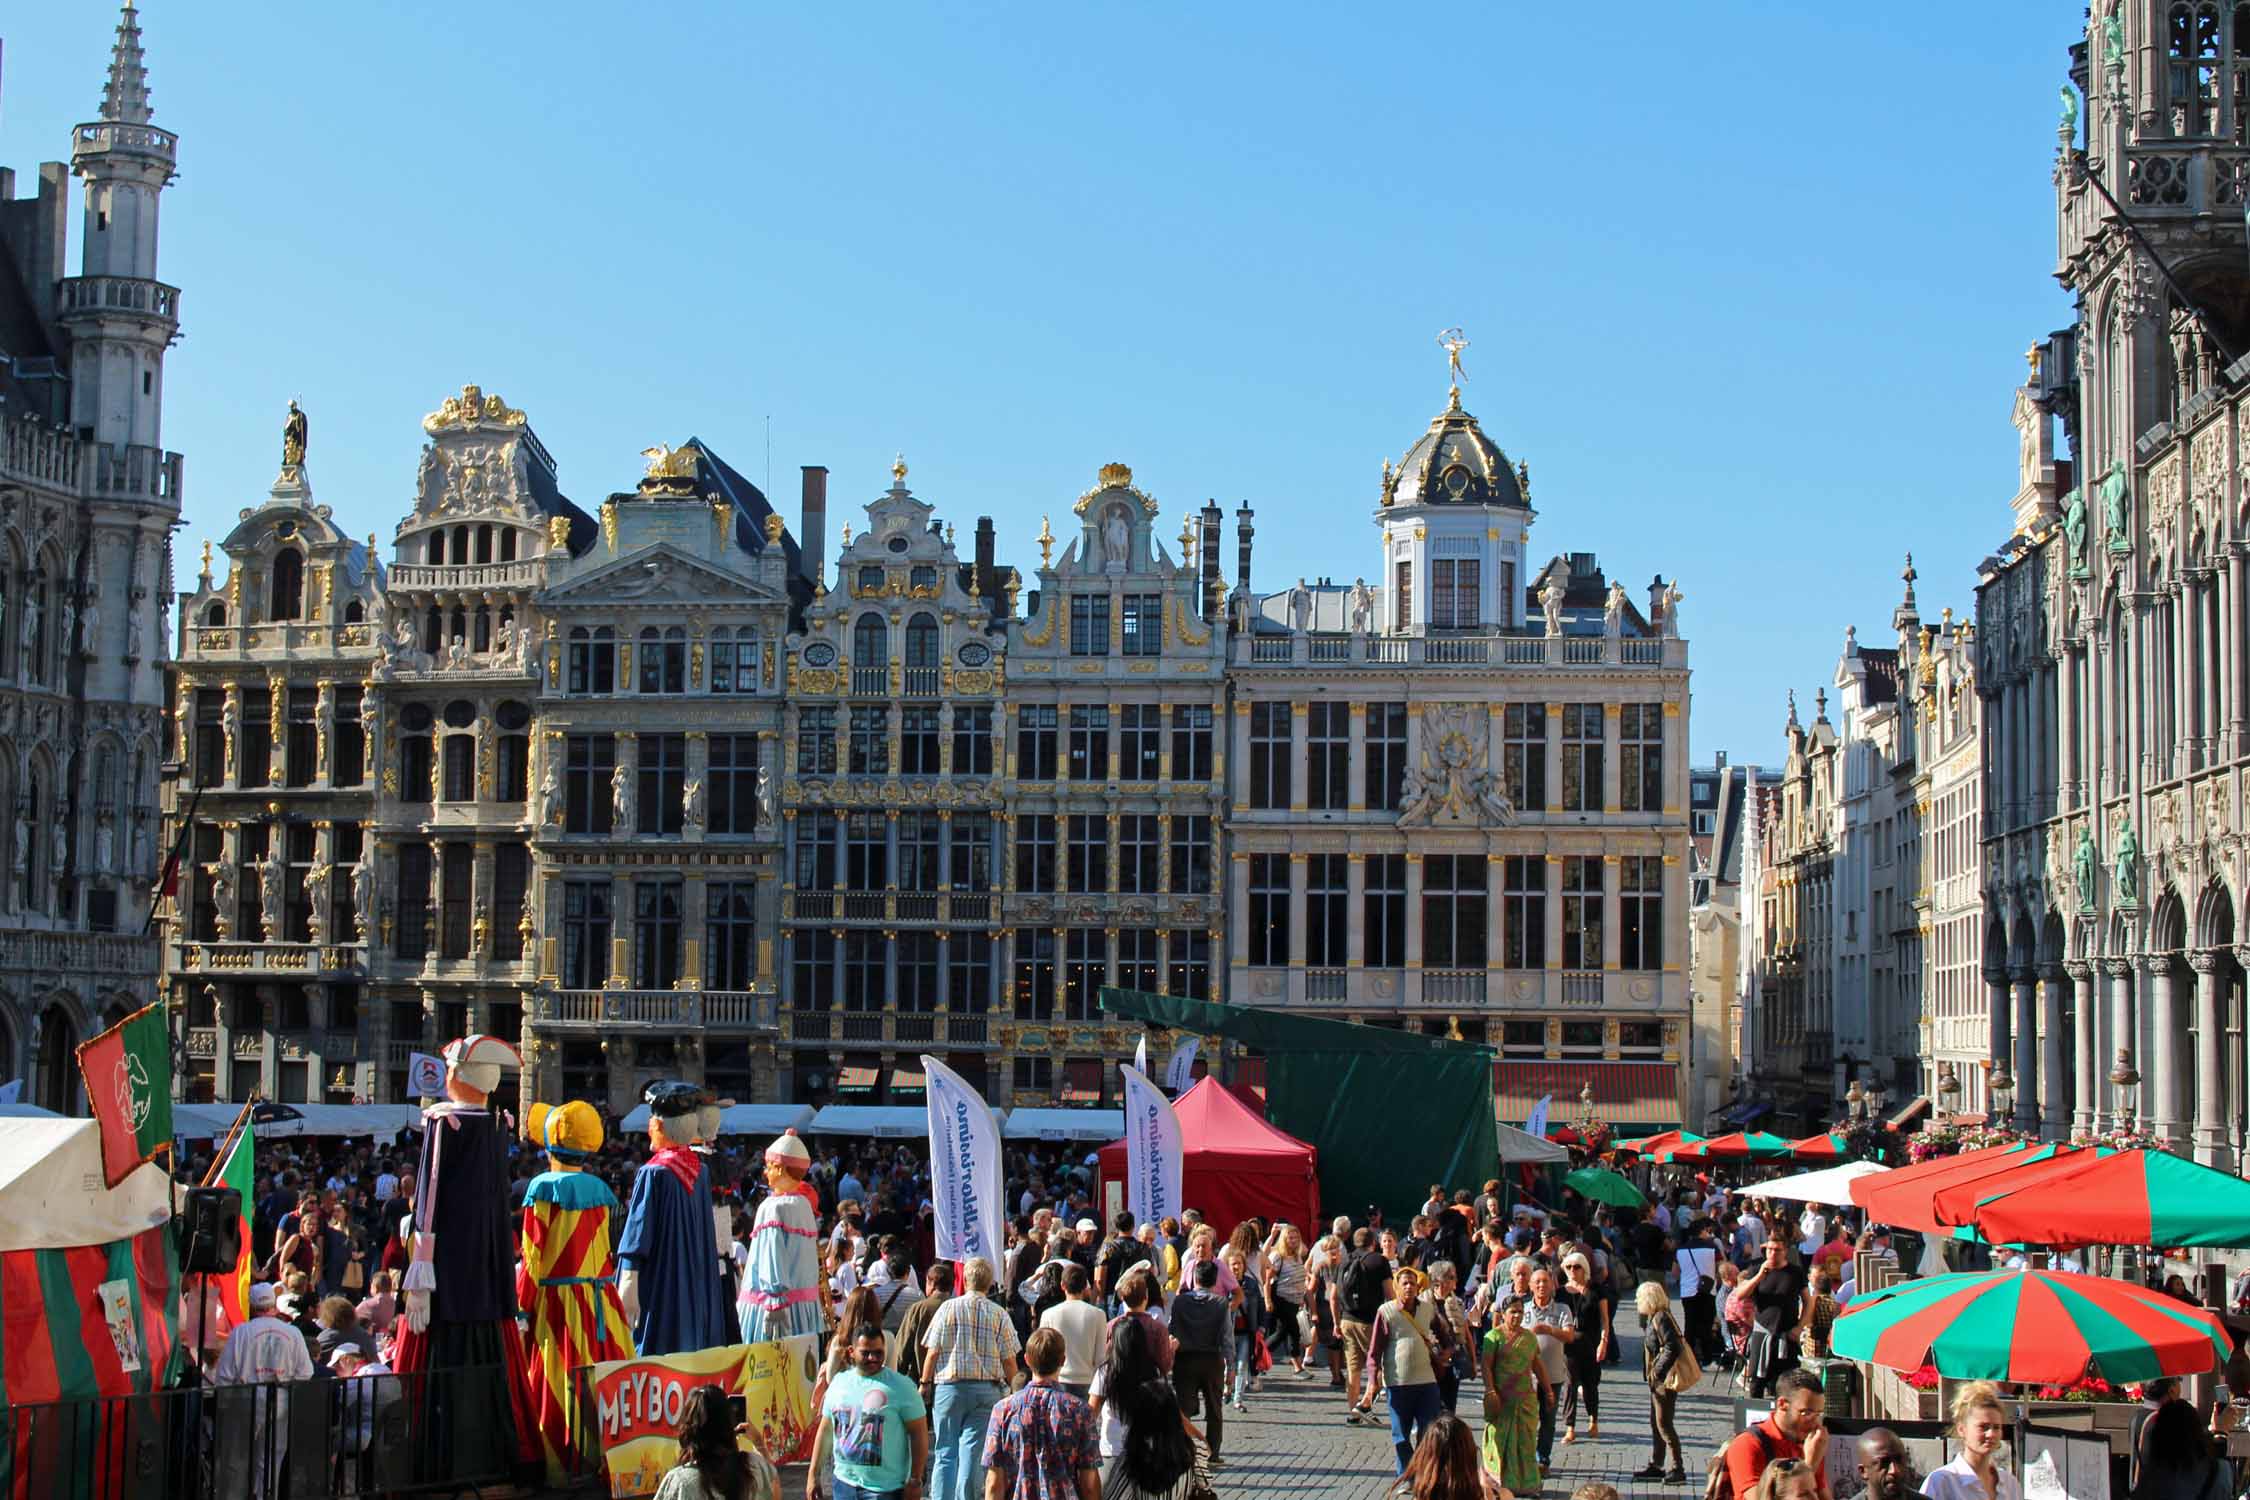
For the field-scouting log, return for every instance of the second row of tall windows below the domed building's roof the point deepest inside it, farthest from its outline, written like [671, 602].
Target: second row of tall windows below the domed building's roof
[1457, 928]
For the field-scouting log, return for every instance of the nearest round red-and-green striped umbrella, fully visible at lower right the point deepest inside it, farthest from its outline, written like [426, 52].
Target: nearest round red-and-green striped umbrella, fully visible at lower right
[2031, 1326]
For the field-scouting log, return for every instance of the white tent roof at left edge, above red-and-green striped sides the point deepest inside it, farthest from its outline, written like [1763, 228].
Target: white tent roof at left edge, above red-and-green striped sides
[53, 1195]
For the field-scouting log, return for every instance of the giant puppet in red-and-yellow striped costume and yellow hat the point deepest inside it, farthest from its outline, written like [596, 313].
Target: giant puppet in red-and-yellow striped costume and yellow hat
[568, 1278]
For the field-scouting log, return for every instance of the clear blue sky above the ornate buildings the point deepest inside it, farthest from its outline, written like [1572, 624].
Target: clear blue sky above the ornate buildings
[1747, 284]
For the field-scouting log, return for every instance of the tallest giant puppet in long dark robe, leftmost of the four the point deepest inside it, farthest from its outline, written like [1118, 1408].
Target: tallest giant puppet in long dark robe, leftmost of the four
[460, 1308]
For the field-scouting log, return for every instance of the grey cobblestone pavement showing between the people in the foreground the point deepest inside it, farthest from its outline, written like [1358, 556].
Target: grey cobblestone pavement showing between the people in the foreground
[1295, 1440]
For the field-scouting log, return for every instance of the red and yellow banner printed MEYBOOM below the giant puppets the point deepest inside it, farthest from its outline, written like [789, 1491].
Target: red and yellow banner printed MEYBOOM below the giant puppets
[638, 1404]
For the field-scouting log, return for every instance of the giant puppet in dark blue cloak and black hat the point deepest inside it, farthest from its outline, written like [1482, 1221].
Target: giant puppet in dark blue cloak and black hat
[669, 1249]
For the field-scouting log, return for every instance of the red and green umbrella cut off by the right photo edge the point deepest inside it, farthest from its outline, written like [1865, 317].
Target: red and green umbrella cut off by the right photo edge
[2136, 1198]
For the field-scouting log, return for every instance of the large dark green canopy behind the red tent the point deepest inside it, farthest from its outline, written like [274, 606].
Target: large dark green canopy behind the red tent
[1389, 1112]
